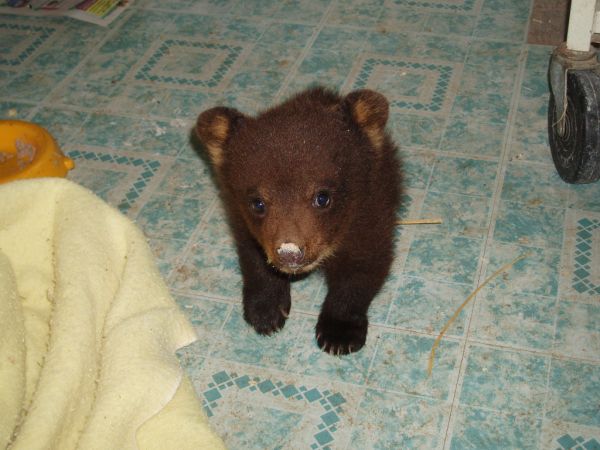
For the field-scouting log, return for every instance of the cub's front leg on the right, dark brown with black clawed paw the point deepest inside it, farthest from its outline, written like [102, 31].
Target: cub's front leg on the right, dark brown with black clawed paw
[342, 325]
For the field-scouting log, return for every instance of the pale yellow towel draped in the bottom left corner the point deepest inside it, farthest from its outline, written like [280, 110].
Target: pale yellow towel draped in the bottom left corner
[88, 330]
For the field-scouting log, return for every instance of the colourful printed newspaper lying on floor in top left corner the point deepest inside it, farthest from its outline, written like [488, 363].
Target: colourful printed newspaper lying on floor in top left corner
[99, 12]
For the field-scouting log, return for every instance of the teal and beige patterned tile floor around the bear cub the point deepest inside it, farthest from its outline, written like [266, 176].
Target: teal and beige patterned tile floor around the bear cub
[520, 368]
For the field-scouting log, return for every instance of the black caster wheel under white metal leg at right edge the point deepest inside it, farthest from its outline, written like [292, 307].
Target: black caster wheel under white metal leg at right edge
[574, 125]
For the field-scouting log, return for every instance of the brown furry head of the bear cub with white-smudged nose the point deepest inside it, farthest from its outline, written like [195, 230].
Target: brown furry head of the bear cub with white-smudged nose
[298, 174]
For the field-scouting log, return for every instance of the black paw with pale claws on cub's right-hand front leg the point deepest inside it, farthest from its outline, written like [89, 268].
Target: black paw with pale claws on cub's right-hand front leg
[340, 337]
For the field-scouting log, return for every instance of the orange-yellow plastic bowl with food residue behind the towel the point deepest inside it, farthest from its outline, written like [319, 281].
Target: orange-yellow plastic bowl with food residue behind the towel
[29, 151]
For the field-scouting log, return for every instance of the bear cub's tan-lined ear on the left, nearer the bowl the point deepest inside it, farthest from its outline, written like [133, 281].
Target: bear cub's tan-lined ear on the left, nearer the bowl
[214, 127]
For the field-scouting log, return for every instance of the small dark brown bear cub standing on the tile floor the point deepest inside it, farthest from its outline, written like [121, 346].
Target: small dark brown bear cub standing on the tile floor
[311, 183]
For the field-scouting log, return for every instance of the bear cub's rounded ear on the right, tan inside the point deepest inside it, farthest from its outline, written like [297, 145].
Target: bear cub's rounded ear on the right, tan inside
[370, 111]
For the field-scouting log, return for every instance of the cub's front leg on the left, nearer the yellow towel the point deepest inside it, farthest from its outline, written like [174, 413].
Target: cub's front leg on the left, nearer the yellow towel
[266, 293]
